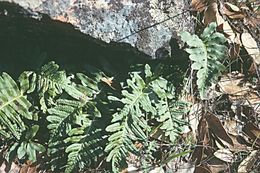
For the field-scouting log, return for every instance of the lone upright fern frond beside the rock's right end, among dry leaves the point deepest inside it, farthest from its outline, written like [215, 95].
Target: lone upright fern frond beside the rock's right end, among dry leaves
[206, 54]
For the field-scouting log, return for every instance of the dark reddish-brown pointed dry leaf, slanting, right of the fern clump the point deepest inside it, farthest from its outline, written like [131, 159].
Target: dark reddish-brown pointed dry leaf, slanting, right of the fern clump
[217, 128]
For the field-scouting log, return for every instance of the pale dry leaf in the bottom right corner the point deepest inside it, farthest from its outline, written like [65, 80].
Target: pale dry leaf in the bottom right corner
[246, 165]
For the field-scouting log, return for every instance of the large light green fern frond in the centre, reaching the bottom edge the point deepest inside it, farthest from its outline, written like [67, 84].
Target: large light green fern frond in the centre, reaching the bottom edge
[129, 124]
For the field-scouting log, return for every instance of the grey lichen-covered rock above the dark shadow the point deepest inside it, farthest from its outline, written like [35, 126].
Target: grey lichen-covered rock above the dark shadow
[146, 25]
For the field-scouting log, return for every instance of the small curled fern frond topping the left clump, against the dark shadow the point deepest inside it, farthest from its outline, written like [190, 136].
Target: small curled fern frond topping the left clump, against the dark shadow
[49, 82]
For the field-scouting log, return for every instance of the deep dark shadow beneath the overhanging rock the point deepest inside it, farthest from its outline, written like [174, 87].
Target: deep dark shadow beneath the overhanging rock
[28, 42]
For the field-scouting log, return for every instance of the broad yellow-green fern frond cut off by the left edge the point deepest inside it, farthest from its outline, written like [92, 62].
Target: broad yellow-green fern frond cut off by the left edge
[13, 106]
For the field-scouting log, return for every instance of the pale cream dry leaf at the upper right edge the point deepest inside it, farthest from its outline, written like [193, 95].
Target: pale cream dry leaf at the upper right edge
[250, 45]
